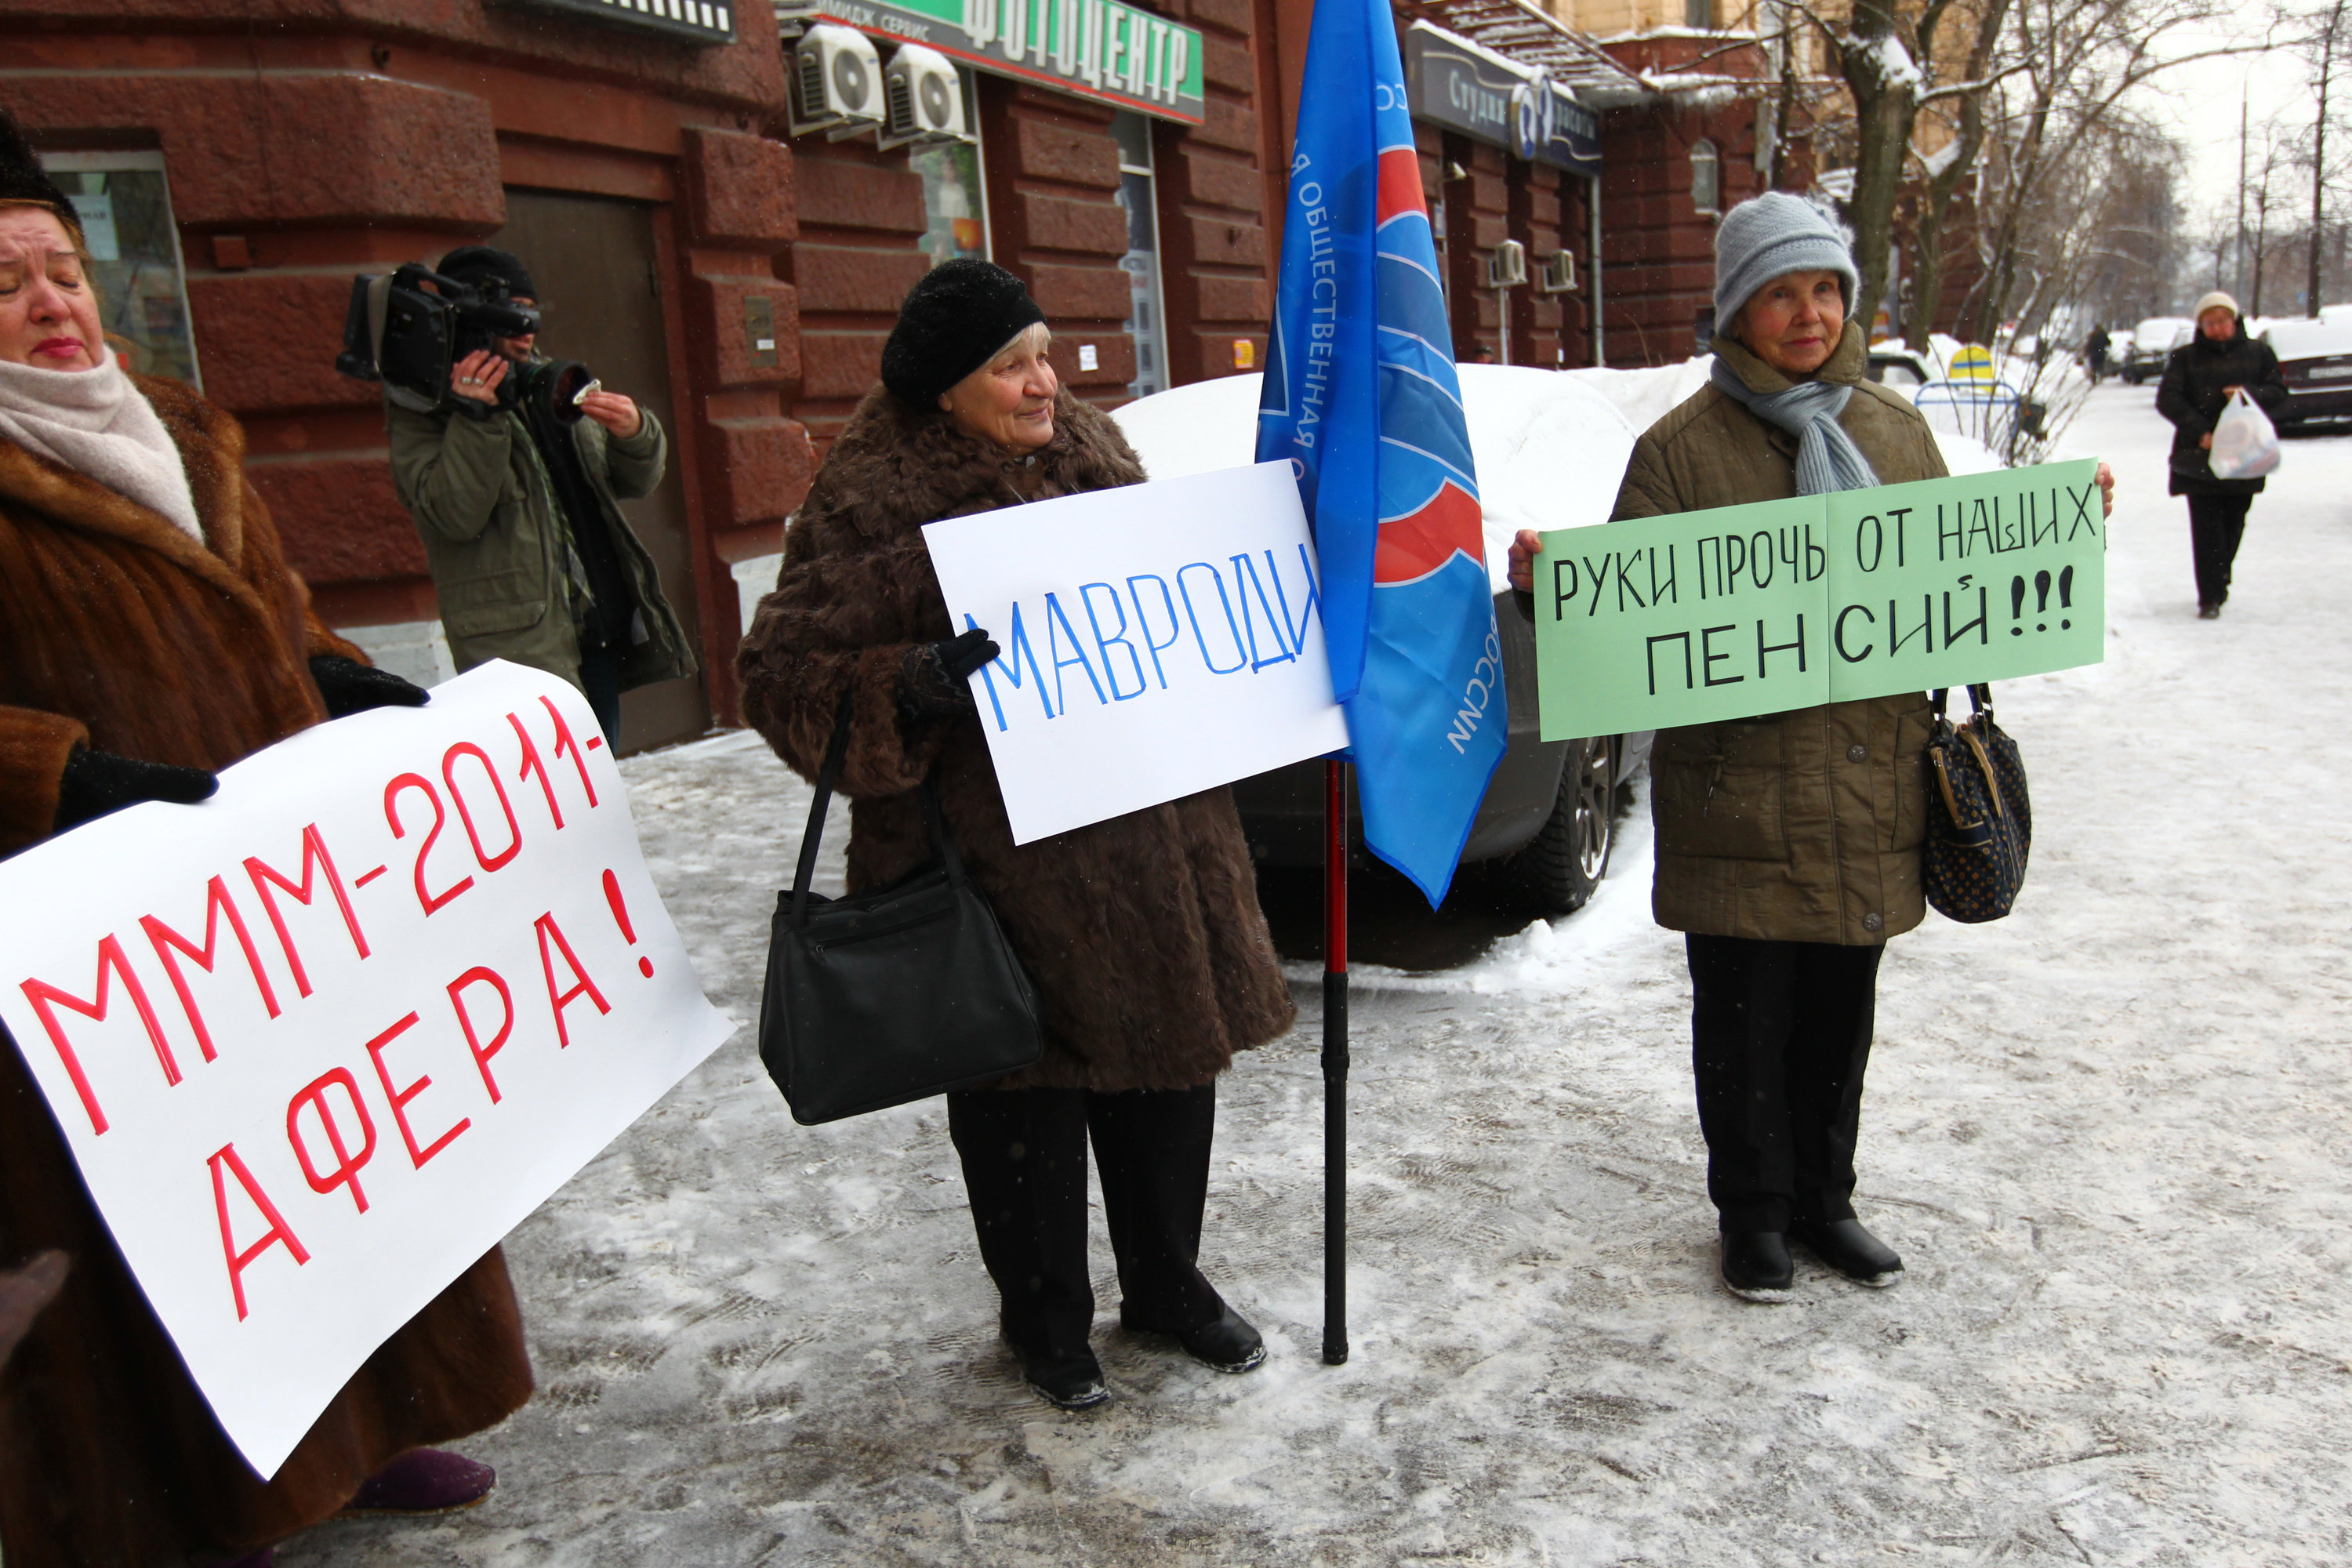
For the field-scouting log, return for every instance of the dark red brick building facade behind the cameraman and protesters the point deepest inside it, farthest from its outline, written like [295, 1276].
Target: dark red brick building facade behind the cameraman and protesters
[740, 276]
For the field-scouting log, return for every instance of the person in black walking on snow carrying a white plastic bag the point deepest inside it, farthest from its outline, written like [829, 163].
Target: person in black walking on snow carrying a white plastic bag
[2200, 380]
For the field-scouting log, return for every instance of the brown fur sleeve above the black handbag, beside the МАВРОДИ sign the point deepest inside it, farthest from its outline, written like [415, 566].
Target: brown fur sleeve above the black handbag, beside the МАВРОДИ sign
[831, 629]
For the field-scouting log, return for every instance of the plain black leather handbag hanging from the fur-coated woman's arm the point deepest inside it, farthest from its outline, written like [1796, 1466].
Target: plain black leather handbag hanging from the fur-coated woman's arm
[890, 996]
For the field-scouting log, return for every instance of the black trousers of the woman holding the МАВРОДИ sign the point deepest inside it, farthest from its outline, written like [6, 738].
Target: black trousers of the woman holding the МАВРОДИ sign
[1027, 1172]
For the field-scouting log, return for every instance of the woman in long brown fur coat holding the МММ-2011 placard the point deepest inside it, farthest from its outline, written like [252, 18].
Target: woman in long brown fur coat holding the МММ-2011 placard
[149, 636]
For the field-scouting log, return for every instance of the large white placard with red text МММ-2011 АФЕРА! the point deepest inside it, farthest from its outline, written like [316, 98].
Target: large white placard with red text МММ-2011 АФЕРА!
[323, 1040]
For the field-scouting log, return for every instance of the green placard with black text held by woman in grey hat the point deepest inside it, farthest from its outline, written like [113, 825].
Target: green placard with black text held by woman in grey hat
[1782, 605]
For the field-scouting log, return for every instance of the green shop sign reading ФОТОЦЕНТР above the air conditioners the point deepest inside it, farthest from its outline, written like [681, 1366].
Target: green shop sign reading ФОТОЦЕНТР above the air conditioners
[1093, 48]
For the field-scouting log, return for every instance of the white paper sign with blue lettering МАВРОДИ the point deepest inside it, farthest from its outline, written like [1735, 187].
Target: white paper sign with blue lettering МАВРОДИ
[1156, 641]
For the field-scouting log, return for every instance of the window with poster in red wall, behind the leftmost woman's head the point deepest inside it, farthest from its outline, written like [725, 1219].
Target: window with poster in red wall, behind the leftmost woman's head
[142, 286]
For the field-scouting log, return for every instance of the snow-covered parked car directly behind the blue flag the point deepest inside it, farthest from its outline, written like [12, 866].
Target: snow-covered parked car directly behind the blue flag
[1551, 453]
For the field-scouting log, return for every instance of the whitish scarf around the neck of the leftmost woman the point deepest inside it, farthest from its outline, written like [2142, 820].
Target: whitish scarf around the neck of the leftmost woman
[100, 424]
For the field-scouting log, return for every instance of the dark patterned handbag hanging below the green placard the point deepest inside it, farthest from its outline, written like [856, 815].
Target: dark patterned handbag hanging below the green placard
[1982, 824]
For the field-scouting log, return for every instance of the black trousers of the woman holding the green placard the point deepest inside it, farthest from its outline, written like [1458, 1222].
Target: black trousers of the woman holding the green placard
[1779, 1045]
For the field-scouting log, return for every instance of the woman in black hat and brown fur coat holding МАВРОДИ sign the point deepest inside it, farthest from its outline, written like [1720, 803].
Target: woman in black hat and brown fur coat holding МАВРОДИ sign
[1144, 934]
